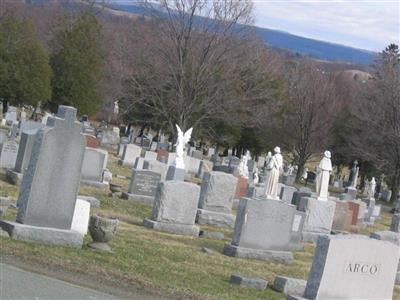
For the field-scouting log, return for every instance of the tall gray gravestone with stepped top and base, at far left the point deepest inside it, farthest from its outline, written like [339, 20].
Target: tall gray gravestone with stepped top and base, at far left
[50, 184]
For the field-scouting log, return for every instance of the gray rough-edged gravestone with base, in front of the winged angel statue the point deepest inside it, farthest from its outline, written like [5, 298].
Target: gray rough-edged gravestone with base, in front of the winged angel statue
[174, 208]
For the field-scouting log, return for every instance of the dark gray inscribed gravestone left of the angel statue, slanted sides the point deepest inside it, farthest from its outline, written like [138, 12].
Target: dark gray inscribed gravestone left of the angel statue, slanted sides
[143, 186]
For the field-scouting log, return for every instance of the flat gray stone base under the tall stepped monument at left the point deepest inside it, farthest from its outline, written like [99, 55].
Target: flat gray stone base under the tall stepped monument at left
[43, 235]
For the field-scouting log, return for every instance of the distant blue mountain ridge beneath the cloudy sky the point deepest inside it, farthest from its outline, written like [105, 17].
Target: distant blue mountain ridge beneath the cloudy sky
[297, 44]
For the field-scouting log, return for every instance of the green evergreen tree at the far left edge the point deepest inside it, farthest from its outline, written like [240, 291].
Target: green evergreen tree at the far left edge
[25, 74]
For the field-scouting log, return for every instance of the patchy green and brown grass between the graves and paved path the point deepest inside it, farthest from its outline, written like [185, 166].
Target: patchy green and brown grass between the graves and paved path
[151, 263]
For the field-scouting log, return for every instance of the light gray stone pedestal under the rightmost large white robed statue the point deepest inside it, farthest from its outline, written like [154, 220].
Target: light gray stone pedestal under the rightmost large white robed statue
[319, 217]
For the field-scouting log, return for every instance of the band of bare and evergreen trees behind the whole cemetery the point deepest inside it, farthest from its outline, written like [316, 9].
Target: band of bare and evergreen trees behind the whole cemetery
[198, 63]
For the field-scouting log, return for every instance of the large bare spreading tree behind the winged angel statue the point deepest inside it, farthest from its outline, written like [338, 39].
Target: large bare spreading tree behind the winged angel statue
[192, 71]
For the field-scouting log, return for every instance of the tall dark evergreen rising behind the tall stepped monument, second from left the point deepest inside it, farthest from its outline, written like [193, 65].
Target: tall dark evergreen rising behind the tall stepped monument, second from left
[77, 63]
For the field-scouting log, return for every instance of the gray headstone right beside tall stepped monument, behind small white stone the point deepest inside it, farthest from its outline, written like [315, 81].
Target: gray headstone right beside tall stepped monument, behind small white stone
[94, 164]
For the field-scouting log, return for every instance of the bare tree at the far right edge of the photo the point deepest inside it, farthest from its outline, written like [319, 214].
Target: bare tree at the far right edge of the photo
[376, 130]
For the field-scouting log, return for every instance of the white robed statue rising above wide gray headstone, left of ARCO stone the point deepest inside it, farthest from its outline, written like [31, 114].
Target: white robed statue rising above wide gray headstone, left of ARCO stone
[274, 167]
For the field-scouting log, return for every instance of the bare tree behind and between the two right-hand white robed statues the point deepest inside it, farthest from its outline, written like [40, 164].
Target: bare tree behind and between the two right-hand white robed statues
[305, 116]
